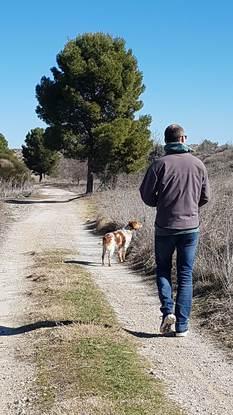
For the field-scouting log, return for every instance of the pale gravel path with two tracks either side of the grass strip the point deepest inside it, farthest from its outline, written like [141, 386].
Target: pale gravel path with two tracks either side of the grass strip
[197, 374]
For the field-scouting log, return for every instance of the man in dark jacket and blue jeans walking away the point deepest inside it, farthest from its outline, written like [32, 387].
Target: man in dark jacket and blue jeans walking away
[177, 185]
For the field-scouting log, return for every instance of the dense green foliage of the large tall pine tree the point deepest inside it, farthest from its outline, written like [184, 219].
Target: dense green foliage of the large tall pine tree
[90, 105]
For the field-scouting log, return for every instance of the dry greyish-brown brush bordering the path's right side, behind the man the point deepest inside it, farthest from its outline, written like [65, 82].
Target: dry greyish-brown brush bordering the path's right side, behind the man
[213, 274]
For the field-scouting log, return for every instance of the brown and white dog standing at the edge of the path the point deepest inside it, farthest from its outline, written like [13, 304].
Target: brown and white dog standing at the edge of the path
[119, 240]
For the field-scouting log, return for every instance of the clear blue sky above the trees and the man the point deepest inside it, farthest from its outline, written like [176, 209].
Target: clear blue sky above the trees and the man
[184, 49]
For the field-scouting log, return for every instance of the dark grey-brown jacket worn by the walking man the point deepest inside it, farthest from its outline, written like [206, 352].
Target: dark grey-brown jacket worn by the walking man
[177, 184]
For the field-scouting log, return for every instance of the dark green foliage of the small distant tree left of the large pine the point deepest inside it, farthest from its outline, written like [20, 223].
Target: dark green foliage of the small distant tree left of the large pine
[37, 157]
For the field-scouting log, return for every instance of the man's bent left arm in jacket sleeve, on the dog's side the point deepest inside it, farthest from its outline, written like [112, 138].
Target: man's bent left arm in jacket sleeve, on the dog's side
[148, 188]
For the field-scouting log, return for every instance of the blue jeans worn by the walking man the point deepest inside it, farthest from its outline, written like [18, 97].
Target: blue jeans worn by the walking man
[185, 245]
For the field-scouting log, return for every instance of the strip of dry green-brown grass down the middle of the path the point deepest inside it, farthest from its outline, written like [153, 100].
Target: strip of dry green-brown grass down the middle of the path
[86, 364]
